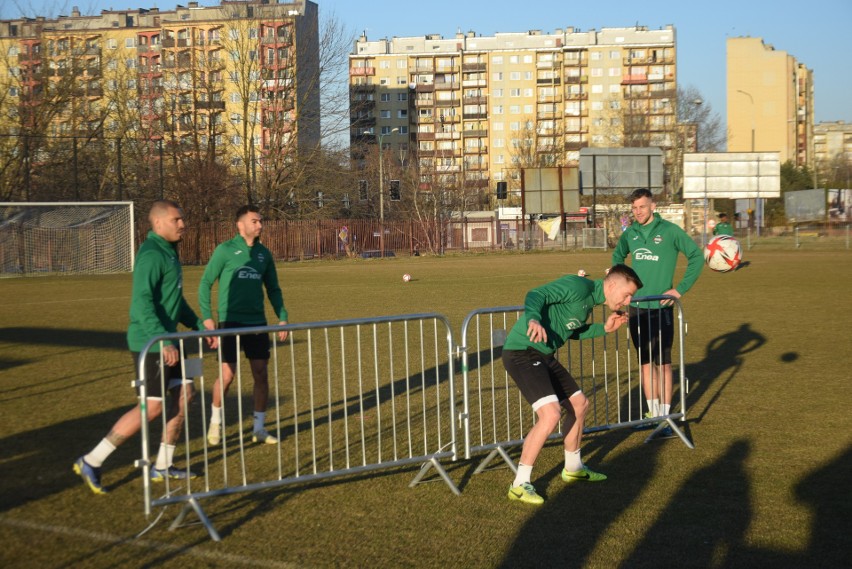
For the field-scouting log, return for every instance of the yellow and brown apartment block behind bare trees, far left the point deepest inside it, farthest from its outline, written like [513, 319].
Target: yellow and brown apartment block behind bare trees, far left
[234, 77]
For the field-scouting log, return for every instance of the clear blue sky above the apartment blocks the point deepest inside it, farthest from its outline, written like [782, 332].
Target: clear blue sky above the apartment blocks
[815, 33]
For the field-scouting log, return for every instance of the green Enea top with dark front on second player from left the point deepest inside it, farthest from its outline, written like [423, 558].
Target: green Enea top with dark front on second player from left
[242, 272]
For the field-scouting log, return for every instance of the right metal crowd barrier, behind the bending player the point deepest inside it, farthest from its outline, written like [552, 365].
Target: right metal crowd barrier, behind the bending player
[496, 417]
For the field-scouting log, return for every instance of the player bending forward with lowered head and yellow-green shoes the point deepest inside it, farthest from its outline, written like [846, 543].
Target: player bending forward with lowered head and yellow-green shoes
[553, 314]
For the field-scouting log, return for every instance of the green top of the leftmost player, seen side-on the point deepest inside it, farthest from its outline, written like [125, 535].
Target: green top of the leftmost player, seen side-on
[156, 301]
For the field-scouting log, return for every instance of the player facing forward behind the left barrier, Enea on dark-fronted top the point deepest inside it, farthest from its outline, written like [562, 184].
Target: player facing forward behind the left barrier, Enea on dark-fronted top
[243, 267]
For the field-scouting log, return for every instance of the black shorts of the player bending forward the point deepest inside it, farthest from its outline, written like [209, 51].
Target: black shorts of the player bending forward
[541, 378]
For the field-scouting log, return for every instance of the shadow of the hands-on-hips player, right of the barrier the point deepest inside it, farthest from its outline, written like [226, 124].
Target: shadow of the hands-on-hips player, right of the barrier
[723, 359]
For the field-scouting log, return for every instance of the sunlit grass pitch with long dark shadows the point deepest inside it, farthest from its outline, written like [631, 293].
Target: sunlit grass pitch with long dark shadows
[766, 486]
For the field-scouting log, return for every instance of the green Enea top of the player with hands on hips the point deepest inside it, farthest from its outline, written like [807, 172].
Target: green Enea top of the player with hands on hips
[654, 250]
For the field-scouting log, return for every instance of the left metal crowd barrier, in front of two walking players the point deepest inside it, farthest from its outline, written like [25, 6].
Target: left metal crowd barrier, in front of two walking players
[345, 397]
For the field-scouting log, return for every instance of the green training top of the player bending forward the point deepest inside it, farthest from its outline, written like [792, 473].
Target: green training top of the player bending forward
[562, 308]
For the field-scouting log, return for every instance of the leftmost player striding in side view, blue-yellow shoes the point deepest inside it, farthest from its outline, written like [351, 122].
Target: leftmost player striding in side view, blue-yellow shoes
[156, 307]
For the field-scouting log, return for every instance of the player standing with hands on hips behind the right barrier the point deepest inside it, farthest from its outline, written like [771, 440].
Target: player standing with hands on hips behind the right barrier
[654, 243]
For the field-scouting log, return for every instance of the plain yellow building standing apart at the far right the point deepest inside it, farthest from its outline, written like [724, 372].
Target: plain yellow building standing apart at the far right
[769, 100]
